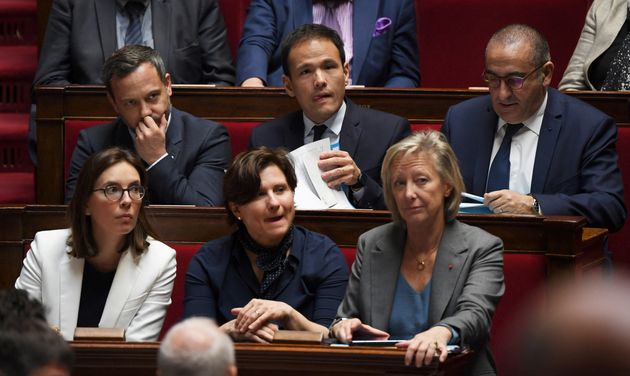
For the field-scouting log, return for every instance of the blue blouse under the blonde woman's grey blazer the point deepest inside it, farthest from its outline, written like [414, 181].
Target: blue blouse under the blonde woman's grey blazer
[410, 311]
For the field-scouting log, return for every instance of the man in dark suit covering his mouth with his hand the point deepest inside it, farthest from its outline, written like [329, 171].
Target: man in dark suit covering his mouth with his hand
[185, 156]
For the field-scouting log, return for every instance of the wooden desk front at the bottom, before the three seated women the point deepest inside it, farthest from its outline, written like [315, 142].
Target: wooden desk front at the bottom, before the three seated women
[139, 359]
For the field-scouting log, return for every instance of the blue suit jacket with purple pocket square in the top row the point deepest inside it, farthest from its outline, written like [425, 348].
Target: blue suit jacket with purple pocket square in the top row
[389, 59]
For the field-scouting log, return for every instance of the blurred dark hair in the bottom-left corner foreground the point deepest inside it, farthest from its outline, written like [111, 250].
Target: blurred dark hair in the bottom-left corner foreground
[27, 343]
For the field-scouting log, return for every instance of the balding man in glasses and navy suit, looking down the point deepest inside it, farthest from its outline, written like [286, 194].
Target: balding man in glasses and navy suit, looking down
[561, 159]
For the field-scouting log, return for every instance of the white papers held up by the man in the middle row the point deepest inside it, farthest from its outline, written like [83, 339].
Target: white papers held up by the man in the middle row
[311, 191]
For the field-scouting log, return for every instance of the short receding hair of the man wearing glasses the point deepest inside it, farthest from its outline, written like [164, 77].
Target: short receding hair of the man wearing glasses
[515, 33]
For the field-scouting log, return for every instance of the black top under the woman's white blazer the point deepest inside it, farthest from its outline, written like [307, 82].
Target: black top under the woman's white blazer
[94, 290]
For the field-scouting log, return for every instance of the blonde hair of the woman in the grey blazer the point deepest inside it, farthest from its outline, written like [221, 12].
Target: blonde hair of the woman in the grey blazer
[434, 144]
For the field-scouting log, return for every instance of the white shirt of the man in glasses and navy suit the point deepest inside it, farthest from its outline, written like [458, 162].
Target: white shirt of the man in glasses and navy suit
[522, 150]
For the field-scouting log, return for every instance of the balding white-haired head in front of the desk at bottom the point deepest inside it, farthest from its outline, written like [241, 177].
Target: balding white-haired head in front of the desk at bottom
[196, 347]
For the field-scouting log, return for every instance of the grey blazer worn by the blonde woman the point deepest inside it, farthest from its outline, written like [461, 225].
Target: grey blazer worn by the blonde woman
[467, 283]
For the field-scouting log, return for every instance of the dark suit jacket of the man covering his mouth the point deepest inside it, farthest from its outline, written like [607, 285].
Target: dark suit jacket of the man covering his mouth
[191, 174]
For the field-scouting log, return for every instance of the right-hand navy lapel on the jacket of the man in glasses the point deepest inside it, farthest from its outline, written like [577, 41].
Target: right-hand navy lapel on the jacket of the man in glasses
[549, 131]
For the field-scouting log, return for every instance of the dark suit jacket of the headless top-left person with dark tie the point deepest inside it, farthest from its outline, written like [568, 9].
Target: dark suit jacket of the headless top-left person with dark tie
[189, 35]
